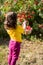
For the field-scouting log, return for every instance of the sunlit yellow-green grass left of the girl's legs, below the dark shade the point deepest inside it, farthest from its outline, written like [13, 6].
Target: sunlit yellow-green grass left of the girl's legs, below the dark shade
[3, 54]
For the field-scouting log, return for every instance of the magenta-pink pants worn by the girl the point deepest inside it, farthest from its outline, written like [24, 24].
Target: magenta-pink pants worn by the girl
[14, 49]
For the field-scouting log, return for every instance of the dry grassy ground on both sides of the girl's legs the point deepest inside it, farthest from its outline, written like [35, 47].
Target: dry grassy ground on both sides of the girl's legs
[31, 53]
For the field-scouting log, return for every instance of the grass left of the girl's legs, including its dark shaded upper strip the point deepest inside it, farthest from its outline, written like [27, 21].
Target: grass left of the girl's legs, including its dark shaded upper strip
[3, 52]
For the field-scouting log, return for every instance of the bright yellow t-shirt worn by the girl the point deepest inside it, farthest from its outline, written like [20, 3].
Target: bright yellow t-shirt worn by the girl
[15, 34]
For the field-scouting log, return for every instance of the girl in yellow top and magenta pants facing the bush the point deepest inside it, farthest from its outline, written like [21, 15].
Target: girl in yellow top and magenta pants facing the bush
[14, 32]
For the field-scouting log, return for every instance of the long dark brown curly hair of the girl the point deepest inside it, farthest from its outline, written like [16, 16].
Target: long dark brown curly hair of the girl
[11, 20]
